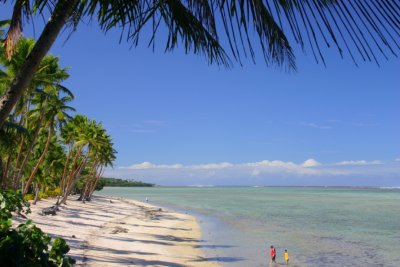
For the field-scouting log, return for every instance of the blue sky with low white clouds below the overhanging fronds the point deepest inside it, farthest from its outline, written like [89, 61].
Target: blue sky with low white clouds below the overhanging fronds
[175, 120]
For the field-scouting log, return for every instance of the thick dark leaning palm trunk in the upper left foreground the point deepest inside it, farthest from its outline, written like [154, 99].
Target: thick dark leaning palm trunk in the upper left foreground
[61, 13]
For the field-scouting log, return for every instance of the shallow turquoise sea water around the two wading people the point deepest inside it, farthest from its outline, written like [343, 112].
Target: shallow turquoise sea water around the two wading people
[318, 226]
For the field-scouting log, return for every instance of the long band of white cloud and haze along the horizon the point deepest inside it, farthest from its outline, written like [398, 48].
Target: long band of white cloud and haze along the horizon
[265, 172]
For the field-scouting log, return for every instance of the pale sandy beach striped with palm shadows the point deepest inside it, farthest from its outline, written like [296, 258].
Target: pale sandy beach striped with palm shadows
[119, 232]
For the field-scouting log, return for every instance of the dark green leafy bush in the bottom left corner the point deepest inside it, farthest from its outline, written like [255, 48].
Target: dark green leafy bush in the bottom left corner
[27, 245]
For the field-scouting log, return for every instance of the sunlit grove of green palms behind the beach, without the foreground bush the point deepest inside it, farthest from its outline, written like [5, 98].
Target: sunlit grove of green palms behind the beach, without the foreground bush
[44, 148]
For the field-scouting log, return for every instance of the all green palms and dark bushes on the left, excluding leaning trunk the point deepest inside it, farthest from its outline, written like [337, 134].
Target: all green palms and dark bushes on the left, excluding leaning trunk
[45, 151]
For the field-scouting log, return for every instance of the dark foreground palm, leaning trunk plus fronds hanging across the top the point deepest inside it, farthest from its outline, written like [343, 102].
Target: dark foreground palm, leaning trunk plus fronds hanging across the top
[365, 29]
